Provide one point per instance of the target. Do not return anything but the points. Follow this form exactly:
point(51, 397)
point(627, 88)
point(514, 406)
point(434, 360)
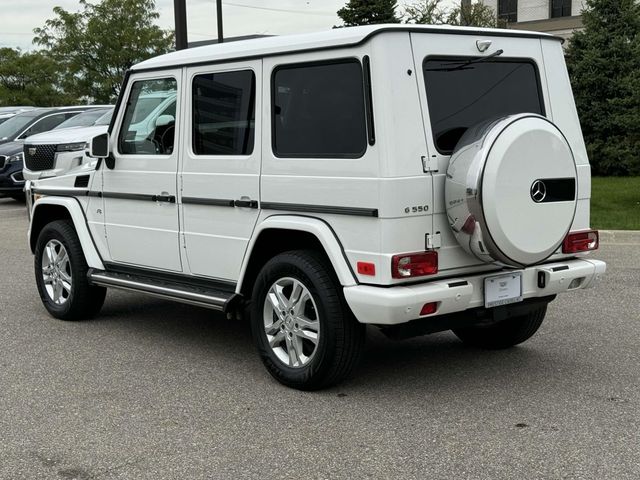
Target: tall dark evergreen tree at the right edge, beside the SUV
point(604, 66)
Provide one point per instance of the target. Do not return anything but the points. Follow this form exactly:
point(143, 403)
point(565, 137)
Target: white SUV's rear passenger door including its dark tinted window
point(220, 172)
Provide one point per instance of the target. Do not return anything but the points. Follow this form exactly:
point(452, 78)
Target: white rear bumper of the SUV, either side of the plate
point(395, 305)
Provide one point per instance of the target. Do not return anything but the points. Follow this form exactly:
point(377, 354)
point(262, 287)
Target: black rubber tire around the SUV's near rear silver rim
point(340, 338)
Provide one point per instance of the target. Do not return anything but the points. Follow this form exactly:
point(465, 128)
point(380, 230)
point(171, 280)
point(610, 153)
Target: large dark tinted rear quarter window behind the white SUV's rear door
point(318, 110)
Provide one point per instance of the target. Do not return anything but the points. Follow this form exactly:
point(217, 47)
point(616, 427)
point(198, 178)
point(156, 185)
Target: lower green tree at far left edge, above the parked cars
point(30, 78)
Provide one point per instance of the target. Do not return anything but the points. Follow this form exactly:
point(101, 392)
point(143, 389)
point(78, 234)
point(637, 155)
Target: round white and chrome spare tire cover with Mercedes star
point(510, 190)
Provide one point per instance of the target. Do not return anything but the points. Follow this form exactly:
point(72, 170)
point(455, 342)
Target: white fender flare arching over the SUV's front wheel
point(39, 217)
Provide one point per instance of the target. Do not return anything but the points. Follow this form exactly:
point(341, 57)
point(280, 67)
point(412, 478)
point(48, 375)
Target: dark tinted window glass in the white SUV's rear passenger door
point(224, 113)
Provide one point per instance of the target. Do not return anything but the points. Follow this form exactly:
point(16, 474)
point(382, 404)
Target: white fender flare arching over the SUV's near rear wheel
point(320, 229)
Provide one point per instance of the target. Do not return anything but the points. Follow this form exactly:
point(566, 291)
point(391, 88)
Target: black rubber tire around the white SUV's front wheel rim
point(82, 301)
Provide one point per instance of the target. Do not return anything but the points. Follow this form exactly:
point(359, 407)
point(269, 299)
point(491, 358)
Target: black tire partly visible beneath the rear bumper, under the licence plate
point(504, 334)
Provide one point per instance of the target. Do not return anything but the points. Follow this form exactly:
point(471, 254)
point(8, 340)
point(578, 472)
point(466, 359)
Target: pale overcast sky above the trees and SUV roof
point(241, 17)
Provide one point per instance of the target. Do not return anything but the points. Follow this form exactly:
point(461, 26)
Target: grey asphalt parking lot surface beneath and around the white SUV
point(156, 390)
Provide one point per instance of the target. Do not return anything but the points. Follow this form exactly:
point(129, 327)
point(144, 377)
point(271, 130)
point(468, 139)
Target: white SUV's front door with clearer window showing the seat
point(140, 192)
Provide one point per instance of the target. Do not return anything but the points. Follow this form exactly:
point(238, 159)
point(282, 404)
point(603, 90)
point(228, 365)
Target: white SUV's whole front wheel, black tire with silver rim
point(61, 274)
